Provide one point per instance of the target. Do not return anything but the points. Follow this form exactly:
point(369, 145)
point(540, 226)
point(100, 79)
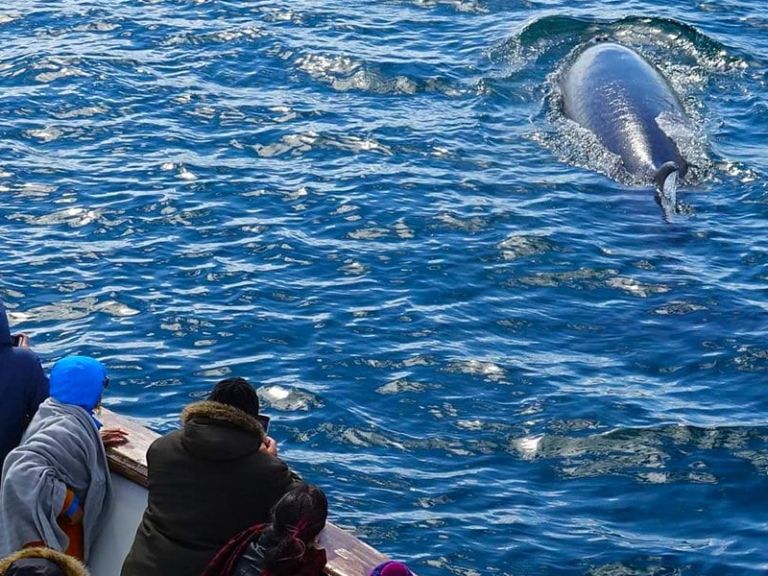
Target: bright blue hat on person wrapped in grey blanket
point(78, 380)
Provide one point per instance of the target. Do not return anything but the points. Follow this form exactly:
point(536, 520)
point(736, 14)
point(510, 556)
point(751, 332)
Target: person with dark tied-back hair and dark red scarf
point(286, 547)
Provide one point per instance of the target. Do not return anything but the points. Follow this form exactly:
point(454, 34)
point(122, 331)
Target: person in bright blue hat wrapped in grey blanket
point(55, 484)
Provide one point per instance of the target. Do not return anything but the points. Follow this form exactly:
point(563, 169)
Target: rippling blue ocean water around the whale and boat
point(484, 343)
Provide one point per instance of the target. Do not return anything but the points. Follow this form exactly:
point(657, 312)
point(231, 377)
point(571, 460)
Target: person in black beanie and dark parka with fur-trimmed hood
point(211, 479)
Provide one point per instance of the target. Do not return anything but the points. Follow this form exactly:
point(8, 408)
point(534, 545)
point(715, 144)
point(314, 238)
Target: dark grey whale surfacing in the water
point(615, 93)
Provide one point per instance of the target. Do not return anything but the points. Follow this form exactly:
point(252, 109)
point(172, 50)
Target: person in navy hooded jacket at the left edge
point(23, 386)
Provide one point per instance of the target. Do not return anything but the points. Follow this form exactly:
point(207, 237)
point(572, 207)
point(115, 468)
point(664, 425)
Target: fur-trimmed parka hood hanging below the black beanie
point(217, 431)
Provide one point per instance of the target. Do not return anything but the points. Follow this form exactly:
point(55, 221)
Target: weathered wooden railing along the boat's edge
point(347, 555)
